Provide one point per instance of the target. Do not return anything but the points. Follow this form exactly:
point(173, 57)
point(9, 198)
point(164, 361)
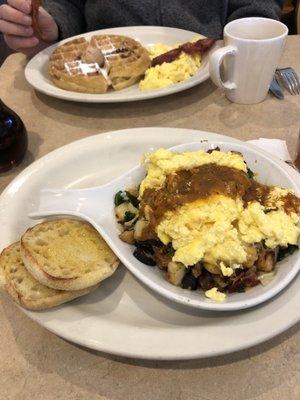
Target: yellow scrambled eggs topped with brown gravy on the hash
point(217, 229)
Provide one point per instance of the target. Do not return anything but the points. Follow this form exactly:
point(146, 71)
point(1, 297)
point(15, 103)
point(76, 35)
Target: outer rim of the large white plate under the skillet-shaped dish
point(129, 353)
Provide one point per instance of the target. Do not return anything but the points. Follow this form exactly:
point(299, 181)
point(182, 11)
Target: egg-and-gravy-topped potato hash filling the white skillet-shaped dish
point(207, 223)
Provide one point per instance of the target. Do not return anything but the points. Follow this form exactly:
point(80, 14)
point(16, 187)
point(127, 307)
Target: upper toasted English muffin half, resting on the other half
point(67, 254)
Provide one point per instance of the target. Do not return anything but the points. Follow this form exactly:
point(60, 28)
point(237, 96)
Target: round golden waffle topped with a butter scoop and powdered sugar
point(93, 66)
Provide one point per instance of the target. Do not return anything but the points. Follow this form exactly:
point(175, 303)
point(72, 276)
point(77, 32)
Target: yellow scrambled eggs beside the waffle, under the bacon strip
point(167, 74)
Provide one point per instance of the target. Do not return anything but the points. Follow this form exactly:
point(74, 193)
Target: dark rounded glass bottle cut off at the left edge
point(13, 138)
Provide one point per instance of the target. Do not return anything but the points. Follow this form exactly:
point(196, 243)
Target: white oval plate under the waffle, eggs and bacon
point(36, 71)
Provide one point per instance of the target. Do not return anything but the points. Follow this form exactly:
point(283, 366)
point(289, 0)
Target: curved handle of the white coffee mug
point(215, 63)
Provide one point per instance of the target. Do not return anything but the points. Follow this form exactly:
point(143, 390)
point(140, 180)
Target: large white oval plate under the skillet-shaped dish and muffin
point(123, 317)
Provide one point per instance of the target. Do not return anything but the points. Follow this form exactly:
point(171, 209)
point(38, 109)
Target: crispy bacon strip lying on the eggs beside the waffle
point(201, 46)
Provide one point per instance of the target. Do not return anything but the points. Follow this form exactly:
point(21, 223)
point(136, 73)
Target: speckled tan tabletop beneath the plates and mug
point(35, 364)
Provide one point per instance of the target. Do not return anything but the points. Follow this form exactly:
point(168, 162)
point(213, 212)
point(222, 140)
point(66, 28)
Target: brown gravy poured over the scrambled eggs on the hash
point(187, 186)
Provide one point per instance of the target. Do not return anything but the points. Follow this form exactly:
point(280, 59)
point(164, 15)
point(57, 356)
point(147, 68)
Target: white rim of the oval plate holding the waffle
point(94, 98)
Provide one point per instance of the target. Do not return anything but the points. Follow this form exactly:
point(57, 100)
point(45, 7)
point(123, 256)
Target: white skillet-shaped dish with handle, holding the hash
point(86, 204)
